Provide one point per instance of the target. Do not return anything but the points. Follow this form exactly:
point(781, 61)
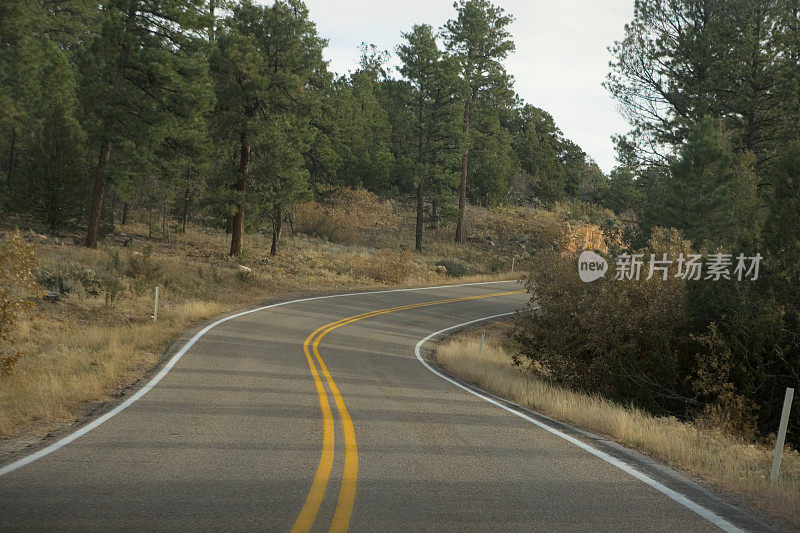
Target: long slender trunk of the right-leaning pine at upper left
point(108, 128)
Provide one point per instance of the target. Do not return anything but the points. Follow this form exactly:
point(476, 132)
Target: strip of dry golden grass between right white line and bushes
point(725, 461)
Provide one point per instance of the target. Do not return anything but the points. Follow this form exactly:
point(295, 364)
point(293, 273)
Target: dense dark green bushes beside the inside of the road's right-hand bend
point(642, 341)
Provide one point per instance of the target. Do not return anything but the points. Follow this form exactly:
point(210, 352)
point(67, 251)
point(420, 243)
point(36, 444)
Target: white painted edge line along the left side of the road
point(28, 459)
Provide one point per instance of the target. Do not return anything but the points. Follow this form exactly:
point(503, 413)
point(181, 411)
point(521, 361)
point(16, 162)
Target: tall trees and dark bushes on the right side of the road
point(712, 89)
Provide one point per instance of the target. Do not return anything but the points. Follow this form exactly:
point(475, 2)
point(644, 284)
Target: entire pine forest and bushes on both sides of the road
point(225, 115)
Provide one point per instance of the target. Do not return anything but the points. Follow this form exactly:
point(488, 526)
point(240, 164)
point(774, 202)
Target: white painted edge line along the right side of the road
point(676, 496)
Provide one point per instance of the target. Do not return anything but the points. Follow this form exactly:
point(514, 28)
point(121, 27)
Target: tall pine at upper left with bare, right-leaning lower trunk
point(141, 72)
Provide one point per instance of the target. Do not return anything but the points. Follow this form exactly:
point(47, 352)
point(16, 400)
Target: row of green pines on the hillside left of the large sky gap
point(226, 113)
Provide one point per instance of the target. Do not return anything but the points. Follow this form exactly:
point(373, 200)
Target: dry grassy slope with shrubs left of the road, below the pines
point(87, 347)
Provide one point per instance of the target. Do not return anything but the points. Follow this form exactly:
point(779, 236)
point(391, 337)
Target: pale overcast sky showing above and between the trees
point(559, 65)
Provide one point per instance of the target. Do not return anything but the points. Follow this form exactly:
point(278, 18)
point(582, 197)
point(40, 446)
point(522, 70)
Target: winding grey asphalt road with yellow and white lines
point(319, 414)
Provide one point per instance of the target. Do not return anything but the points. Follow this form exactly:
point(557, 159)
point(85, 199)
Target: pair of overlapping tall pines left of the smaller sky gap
point(266, 66)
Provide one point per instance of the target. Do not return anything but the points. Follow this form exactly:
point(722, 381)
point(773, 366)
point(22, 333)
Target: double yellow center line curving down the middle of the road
point(347, 491)
